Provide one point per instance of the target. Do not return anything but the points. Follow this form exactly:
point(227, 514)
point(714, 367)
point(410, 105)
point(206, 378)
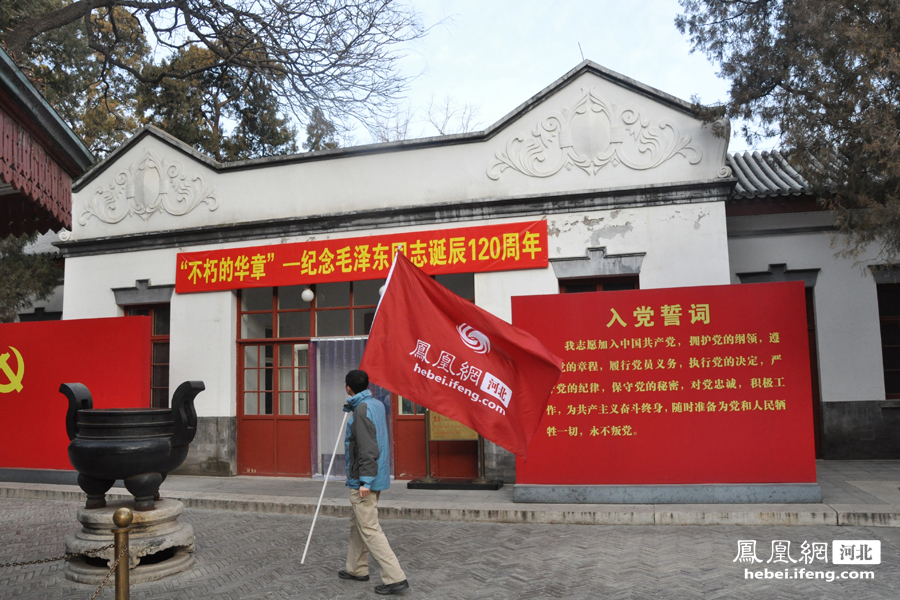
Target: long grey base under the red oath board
point(761, 493)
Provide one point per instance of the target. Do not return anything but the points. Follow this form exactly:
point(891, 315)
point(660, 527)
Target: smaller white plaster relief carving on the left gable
point(151, 186)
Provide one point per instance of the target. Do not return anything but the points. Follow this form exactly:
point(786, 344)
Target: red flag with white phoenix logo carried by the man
point(429, 345)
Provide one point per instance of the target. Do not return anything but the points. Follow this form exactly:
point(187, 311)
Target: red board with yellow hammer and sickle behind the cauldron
point(110, 356)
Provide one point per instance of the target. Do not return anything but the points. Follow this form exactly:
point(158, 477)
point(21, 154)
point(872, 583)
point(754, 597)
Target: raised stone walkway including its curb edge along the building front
point(854, 493)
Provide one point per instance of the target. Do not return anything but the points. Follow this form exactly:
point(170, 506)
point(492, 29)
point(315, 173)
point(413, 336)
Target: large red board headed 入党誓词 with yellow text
point(674, 386)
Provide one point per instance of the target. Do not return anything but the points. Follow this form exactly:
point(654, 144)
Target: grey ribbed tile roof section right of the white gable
point(762, 174)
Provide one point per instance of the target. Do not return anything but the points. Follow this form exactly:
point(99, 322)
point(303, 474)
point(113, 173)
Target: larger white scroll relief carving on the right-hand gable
point(590, 135)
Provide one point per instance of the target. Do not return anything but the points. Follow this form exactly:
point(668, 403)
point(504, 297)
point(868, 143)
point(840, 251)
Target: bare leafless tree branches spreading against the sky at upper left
point(339, 55)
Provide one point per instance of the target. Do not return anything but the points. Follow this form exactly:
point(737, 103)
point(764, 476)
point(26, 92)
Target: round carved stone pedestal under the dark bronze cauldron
point(159, 546)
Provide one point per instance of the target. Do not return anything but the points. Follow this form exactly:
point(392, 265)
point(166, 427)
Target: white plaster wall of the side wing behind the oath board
point(846, 304)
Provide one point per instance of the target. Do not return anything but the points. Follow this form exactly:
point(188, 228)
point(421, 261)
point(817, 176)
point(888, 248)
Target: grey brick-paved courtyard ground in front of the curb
point(257, 555)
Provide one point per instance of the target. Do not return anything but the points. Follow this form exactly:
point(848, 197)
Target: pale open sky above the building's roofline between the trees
point(496, 54)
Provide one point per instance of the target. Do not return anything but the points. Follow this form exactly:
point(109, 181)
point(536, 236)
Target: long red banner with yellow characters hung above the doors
point(443, 251)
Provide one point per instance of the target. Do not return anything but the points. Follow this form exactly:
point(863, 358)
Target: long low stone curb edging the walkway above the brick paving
point(549, 514)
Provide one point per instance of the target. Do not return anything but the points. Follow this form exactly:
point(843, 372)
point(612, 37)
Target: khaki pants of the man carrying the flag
point(366, 536)
